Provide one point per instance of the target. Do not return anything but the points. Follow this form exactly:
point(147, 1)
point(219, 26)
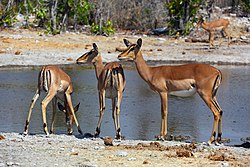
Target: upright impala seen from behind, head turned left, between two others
point(111, 84)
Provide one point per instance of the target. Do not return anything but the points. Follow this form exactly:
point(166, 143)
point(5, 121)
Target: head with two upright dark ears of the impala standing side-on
point(131, 51)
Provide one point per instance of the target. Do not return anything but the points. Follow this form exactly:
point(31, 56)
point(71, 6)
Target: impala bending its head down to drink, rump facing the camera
point(57, 84)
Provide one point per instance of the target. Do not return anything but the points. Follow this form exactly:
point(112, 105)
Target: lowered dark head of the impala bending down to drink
point(69, 119)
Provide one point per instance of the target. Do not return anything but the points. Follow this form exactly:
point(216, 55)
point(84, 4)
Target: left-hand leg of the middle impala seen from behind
point(102, 108)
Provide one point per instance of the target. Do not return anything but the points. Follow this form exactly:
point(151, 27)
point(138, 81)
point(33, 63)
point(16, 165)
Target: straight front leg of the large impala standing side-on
point(164, 114)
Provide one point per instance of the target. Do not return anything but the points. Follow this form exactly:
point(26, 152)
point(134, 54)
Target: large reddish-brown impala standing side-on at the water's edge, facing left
point(165, 79)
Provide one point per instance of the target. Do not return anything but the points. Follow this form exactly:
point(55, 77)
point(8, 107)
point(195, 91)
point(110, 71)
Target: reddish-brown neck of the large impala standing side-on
point(142, 68)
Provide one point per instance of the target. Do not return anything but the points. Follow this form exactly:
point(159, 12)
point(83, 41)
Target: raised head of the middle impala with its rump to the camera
point(89, 57)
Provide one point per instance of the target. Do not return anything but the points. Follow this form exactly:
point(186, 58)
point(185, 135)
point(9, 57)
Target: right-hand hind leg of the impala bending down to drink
point(45, 102)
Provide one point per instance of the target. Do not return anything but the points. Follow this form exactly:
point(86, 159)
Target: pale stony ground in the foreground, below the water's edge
point(63, 150)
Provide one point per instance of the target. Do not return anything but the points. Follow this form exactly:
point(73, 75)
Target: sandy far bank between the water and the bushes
point(23, 47)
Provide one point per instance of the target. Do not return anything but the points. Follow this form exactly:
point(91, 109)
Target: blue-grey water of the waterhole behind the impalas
point(140, 107)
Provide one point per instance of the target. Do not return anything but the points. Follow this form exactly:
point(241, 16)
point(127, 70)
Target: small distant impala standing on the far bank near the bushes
point(216, 25)
